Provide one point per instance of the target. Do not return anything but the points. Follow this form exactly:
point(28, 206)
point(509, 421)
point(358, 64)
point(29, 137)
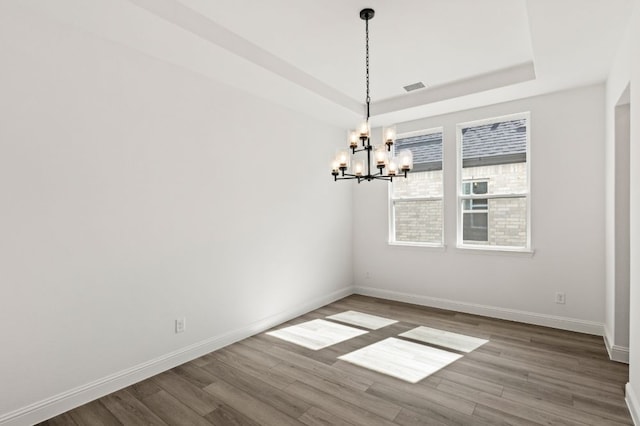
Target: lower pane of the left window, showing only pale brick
point(418, 221)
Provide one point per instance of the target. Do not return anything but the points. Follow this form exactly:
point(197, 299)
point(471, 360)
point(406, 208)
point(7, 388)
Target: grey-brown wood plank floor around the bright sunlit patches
point(525, 375)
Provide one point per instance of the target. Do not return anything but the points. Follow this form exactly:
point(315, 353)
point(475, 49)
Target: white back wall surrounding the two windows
point(567, 195)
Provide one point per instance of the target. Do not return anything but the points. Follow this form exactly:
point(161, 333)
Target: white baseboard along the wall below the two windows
point(563, 323)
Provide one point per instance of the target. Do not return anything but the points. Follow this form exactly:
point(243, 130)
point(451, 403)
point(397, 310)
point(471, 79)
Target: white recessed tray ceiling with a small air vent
point(309, 55)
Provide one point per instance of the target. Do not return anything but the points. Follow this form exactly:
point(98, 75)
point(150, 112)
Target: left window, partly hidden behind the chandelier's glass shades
point(416, 202)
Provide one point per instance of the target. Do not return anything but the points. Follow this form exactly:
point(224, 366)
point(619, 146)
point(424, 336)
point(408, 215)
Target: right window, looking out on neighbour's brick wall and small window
point(493, 196)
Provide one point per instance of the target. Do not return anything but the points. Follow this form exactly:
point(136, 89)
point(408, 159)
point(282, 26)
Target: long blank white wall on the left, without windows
point(135, 192)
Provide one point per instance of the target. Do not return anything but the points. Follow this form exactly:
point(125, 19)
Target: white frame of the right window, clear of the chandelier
point(460, 197)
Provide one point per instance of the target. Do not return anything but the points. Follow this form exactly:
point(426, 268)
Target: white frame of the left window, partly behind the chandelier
point(391, 200)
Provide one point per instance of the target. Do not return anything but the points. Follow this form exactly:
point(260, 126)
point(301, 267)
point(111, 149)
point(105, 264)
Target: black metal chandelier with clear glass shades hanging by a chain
point(344, 167)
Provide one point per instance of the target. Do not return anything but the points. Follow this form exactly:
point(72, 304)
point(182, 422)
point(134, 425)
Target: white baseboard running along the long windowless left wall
point(65, 401)
